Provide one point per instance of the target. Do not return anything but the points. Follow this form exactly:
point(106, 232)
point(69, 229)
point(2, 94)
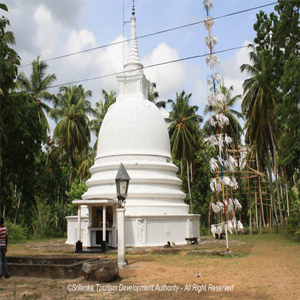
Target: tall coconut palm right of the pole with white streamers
point(258, 105)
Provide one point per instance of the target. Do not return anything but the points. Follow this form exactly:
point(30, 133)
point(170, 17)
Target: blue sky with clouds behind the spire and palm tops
point(55, 27)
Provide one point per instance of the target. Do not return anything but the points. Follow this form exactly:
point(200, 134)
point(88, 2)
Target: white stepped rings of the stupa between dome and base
point(154, 187)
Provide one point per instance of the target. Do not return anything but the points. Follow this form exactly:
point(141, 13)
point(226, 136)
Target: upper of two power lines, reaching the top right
point(155, 33)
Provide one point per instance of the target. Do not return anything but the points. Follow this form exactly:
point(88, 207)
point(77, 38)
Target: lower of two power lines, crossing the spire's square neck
point(146, 67)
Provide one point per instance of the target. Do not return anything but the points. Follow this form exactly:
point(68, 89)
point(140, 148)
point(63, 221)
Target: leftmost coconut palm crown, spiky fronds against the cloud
point(37, 86)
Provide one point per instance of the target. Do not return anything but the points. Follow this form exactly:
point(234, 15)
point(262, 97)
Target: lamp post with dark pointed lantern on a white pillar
point(122, 183)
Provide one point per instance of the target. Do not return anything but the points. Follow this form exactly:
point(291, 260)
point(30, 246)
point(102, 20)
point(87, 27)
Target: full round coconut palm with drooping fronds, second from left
point(71, 113)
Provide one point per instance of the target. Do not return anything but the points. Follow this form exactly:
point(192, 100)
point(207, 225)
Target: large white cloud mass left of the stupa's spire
point(51, 38)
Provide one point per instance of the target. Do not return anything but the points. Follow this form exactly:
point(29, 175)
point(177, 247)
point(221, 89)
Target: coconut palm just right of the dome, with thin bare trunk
point(183, 130)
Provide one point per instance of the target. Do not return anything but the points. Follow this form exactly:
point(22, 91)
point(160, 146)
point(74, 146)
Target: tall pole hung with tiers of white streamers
point(221, 140)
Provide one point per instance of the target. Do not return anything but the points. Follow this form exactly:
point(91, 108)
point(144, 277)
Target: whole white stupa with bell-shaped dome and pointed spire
point(134, 133)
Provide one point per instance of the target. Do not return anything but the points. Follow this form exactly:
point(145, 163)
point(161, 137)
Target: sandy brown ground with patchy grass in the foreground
point(265, 267)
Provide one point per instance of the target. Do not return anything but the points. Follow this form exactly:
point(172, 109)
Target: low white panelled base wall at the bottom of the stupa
point(145, 230)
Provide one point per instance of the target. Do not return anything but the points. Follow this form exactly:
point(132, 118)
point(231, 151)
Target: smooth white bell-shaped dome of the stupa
point(133, 126)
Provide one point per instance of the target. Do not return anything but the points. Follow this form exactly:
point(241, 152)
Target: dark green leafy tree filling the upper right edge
point(278, 35)
